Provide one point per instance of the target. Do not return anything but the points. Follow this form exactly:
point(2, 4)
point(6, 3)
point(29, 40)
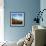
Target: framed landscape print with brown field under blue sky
point(17, 19)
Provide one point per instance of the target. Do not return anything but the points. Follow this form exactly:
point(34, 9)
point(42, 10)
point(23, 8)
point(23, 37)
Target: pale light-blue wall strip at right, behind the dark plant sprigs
point(43, 6)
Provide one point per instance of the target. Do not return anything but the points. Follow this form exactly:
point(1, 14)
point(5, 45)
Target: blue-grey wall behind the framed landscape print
point(30, 7)
